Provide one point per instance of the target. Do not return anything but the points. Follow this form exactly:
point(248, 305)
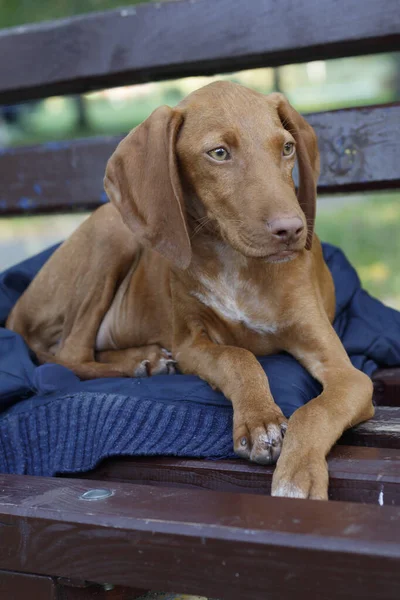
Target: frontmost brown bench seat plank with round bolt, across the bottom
point(217, 544)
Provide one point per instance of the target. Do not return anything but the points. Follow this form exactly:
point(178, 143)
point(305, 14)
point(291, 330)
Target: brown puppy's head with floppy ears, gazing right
point(224, 155)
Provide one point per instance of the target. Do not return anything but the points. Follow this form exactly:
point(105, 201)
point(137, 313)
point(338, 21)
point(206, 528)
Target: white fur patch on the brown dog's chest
point(238, 300)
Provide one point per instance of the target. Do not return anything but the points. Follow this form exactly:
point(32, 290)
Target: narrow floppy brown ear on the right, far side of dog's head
point(307, 157)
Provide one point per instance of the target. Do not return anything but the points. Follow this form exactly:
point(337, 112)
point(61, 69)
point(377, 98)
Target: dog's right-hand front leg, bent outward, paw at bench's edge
point(346, 400)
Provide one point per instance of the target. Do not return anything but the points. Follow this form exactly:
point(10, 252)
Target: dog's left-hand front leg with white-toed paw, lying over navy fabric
point(258, 423)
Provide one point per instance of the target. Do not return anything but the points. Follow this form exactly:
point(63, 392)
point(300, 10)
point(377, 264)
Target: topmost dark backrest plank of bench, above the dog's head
point(191, 37)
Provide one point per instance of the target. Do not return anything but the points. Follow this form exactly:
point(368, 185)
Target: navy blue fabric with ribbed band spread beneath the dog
point(53, 423)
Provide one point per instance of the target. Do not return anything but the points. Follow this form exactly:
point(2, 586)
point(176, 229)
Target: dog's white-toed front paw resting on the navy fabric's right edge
point(259, 439)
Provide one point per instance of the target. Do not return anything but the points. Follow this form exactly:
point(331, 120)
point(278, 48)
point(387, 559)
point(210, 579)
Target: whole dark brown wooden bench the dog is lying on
point(189, 525)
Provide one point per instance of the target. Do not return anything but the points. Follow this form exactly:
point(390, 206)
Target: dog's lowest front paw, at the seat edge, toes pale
point(301, 477)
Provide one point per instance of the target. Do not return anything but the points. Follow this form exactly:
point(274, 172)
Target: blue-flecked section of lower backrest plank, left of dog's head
point(54, 177)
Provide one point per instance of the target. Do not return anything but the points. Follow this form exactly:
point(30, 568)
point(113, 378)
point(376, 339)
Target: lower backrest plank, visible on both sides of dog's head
point(359, 150)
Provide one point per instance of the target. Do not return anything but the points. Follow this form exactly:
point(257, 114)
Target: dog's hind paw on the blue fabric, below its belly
point(140, 362)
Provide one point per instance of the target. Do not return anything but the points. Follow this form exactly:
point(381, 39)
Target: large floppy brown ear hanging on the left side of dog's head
point(142, 181)
